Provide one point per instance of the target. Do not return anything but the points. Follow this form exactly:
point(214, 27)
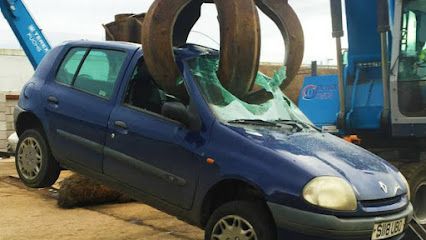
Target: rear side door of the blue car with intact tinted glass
point(79, 102)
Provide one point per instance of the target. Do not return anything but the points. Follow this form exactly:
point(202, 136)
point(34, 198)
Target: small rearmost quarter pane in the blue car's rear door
point(70, 65)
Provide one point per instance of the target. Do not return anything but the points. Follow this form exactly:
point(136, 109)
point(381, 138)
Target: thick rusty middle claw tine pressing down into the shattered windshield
point(239, 45)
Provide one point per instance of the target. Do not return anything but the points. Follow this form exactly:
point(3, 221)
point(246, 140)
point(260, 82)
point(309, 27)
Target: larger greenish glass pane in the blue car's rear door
point(99, 72)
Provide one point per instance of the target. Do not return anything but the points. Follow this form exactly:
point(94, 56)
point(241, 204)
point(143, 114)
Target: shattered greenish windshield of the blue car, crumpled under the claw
point(228, 108)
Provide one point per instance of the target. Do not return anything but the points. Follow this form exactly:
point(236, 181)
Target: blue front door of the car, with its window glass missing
point(150, 152)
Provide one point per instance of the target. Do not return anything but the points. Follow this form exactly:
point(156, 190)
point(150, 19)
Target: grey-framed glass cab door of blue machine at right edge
point(408, 81)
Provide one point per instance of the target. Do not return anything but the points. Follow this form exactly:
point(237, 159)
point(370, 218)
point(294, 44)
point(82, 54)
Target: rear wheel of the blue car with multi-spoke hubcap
point(34, 162)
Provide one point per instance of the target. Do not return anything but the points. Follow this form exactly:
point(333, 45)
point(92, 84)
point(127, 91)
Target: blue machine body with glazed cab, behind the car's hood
point(372, 95)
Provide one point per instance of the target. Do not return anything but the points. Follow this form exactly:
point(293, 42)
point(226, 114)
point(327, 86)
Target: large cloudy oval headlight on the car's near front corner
point(331, 193)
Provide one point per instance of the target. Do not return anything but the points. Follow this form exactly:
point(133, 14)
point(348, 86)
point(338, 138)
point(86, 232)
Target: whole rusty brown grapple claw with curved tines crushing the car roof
point(168, 24)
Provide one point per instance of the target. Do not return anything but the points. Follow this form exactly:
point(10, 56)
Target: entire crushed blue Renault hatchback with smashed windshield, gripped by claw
point(235, 168)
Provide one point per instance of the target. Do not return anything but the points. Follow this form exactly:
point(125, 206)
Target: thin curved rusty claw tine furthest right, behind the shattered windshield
point(289, 24)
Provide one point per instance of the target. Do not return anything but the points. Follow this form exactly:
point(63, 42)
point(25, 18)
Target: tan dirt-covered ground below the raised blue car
point(33, 214)
